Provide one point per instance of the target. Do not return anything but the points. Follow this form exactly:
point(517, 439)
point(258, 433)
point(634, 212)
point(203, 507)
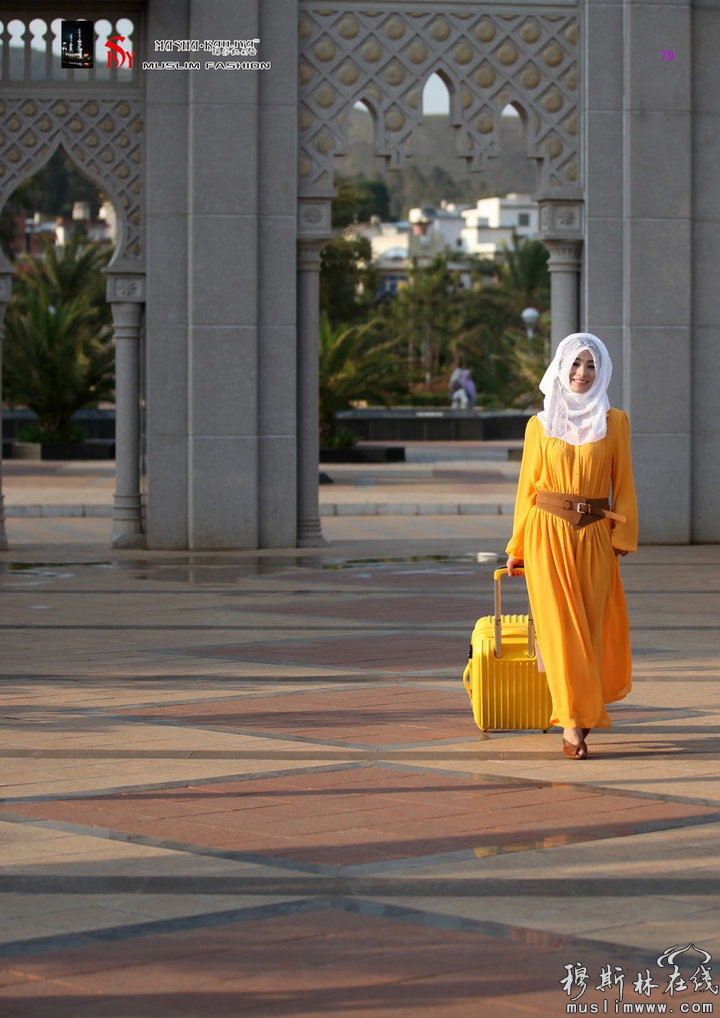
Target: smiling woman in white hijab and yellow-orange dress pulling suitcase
point(578, 454)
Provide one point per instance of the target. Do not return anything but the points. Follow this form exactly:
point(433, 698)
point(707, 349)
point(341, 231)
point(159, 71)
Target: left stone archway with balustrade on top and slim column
point(99, 121)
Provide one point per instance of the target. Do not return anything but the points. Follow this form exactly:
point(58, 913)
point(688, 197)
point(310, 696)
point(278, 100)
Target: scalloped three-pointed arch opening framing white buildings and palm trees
point(457, 240)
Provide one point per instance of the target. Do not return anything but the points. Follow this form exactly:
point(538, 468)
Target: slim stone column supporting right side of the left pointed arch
point(127, 299)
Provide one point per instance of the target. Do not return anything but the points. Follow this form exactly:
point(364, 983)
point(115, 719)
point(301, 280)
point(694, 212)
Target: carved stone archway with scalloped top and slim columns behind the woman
point(382, 54)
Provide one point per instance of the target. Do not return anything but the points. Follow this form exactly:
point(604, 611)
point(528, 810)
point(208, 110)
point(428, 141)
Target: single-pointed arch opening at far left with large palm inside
point(59, 231)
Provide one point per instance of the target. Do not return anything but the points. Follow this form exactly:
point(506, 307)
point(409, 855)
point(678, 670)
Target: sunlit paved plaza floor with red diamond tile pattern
point(250, 784)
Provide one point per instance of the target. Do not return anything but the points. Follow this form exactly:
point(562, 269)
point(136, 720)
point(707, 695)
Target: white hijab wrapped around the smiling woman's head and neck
point(577, 418)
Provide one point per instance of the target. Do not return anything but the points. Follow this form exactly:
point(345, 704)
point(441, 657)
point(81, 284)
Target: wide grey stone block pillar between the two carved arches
point(221, 286)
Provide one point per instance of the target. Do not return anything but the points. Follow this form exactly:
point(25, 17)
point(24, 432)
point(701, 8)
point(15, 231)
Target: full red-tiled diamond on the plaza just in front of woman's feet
point(365, 815)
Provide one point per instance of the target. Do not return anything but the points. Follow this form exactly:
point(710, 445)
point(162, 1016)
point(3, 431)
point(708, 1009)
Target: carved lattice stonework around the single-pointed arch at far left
point(104, 138)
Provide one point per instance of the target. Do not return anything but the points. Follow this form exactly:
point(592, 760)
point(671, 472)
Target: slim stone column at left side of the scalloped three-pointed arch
point(310, 534)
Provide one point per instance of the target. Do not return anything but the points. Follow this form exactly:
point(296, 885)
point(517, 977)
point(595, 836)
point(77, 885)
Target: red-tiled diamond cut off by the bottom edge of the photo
point(326, 964)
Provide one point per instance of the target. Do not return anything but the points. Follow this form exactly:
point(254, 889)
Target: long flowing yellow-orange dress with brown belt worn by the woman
point(574, 577)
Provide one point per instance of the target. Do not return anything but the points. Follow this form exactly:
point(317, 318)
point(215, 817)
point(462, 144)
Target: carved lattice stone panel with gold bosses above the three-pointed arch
point(383, 59)
